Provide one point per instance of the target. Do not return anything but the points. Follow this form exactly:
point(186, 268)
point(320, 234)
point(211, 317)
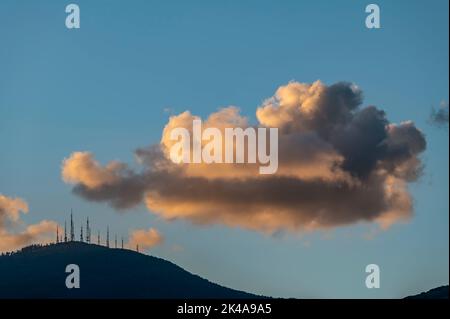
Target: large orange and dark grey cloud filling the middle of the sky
point(339, 164)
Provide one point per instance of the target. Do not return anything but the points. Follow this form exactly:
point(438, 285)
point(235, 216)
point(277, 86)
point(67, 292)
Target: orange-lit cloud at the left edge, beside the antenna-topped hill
point(10, 238)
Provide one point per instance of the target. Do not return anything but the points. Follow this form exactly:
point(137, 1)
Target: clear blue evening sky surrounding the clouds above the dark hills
point(110, 87)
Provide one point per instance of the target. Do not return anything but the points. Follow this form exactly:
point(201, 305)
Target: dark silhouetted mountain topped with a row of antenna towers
point(39, 272)
